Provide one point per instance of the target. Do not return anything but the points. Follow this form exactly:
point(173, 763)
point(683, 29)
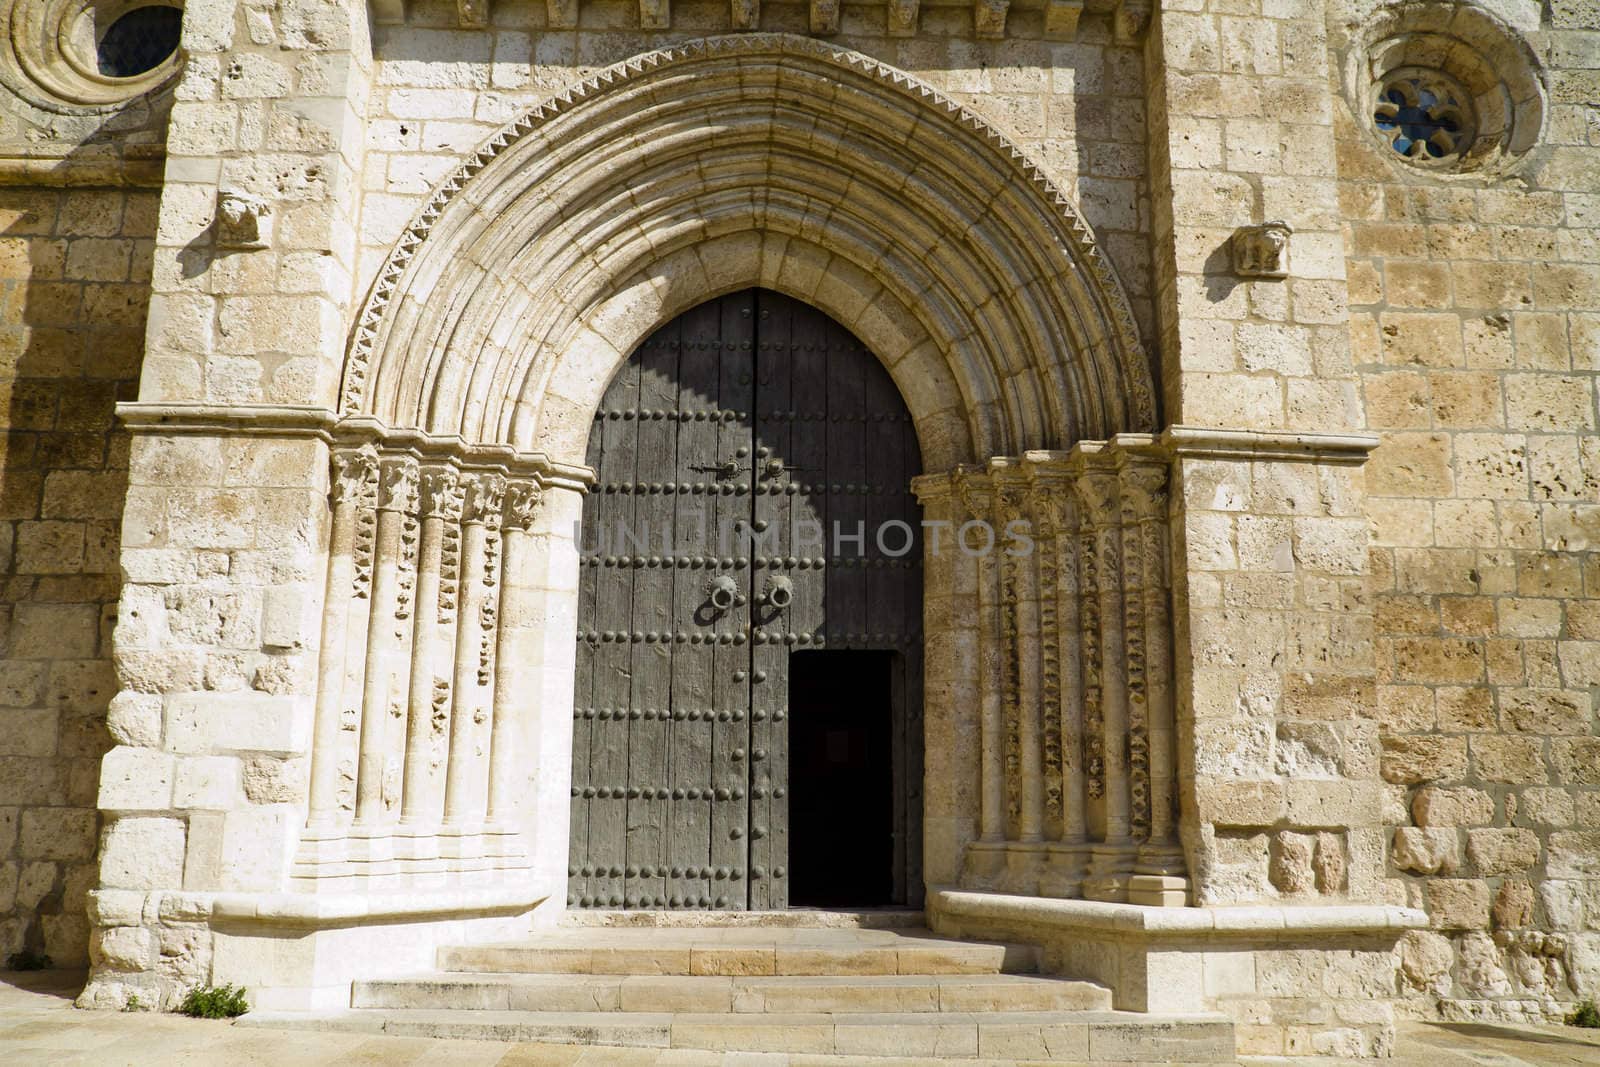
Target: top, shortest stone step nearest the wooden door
point(742, 953)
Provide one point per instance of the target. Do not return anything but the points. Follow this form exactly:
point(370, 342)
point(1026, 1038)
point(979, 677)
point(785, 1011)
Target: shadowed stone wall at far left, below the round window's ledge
point(74, 286)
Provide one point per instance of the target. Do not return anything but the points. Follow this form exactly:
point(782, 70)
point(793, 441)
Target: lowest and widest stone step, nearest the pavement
point(1041, 1036)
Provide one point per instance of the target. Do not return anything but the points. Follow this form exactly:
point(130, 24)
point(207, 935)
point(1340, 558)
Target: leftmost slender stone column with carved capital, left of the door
point(354, 484)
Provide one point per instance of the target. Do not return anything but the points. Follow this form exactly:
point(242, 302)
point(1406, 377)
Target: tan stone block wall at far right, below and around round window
point(1476, 329)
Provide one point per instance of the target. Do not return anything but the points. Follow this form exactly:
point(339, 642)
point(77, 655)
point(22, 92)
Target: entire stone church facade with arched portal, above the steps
point(1274, 324)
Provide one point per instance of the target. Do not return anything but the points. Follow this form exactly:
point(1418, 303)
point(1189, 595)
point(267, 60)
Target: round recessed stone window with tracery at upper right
point(1447, 87)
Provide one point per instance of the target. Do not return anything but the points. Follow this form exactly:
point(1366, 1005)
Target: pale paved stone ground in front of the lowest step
point(39, 1026)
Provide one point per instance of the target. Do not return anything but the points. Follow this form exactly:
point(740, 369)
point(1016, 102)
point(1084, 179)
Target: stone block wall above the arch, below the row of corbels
point(1076, 106)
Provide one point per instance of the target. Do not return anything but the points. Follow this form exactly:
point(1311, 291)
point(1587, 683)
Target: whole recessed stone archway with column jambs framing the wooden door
point(790, 164)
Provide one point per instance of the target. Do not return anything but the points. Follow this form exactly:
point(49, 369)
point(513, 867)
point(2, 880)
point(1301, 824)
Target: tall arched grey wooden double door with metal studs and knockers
point(748, 713)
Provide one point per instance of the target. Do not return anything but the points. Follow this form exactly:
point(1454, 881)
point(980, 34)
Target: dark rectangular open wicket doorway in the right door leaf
point(842, 778)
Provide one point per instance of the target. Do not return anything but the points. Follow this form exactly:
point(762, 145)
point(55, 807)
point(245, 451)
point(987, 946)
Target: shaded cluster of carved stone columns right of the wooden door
point(1076, 719)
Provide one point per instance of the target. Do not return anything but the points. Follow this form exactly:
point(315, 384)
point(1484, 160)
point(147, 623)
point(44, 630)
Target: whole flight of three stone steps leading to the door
point(831, 993)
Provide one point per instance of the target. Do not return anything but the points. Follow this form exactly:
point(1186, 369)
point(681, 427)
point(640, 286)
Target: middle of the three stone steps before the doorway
point(740, 996)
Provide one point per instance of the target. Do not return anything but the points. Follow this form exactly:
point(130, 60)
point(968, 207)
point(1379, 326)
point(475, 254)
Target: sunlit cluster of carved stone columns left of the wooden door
point(423, 567)
